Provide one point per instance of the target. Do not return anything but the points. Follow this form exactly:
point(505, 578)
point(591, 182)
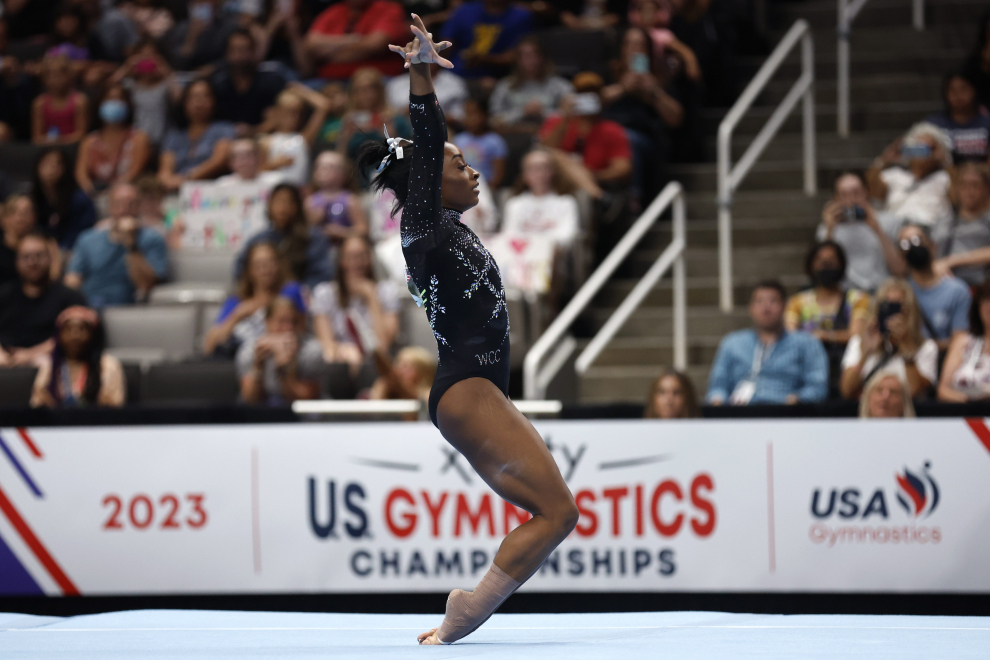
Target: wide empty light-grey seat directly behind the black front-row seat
point(171, 329)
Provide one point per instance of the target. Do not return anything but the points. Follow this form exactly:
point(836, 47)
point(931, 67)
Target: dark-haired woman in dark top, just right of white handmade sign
point(305, 249)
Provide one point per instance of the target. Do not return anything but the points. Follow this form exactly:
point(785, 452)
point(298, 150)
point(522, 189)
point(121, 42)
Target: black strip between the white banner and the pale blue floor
point(525, 603)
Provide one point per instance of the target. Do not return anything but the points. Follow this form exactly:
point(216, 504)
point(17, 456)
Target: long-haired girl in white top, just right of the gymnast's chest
point(543, 204)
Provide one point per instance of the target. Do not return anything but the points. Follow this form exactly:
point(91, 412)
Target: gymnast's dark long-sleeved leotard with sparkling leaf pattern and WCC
point(449, 271)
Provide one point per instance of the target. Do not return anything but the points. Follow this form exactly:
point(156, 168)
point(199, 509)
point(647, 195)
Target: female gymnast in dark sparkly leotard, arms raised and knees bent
point(454, 277)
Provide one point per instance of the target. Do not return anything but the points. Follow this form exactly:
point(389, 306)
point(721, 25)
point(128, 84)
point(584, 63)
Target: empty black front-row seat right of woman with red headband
point(209, 382)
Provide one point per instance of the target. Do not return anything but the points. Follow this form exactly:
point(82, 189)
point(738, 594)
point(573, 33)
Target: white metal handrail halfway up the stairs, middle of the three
point(729, 178)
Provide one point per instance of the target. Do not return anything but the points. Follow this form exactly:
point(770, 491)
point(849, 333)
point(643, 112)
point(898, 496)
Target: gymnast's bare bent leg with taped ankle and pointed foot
point(504, 448)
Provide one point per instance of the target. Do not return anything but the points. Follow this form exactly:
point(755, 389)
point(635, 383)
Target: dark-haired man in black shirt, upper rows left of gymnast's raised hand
point(243, 91)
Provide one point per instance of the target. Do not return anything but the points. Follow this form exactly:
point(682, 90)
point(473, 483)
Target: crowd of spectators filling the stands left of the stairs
point(129, 103)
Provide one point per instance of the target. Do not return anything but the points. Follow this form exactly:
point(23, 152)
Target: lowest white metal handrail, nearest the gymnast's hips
point(535, 380)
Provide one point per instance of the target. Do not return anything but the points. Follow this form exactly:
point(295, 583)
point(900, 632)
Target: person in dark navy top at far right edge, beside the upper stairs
point(968, 129)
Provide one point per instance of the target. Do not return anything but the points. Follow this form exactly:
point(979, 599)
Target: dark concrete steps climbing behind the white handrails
point(896, 81)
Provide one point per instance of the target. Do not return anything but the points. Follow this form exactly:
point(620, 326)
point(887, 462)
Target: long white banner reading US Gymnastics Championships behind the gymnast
point(812, 505)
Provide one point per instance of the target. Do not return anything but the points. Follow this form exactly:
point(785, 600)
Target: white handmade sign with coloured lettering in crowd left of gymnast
point(219, 216)
